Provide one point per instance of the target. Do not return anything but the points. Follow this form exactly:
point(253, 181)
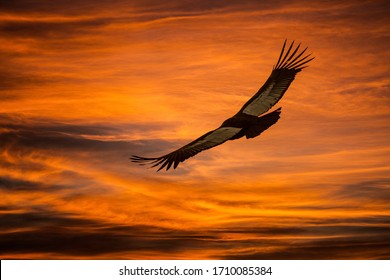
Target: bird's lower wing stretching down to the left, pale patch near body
point(207, 141)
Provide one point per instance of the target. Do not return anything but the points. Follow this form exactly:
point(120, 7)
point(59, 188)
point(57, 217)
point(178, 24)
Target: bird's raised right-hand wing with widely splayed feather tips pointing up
point(282, 75)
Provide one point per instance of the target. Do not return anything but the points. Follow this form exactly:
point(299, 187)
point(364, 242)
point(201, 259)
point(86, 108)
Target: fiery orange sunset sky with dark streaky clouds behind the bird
point(86, 84)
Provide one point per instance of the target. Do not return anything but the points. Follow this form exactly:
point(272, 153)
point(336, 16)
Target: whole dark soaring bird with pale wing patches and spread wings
point(247, 122)
